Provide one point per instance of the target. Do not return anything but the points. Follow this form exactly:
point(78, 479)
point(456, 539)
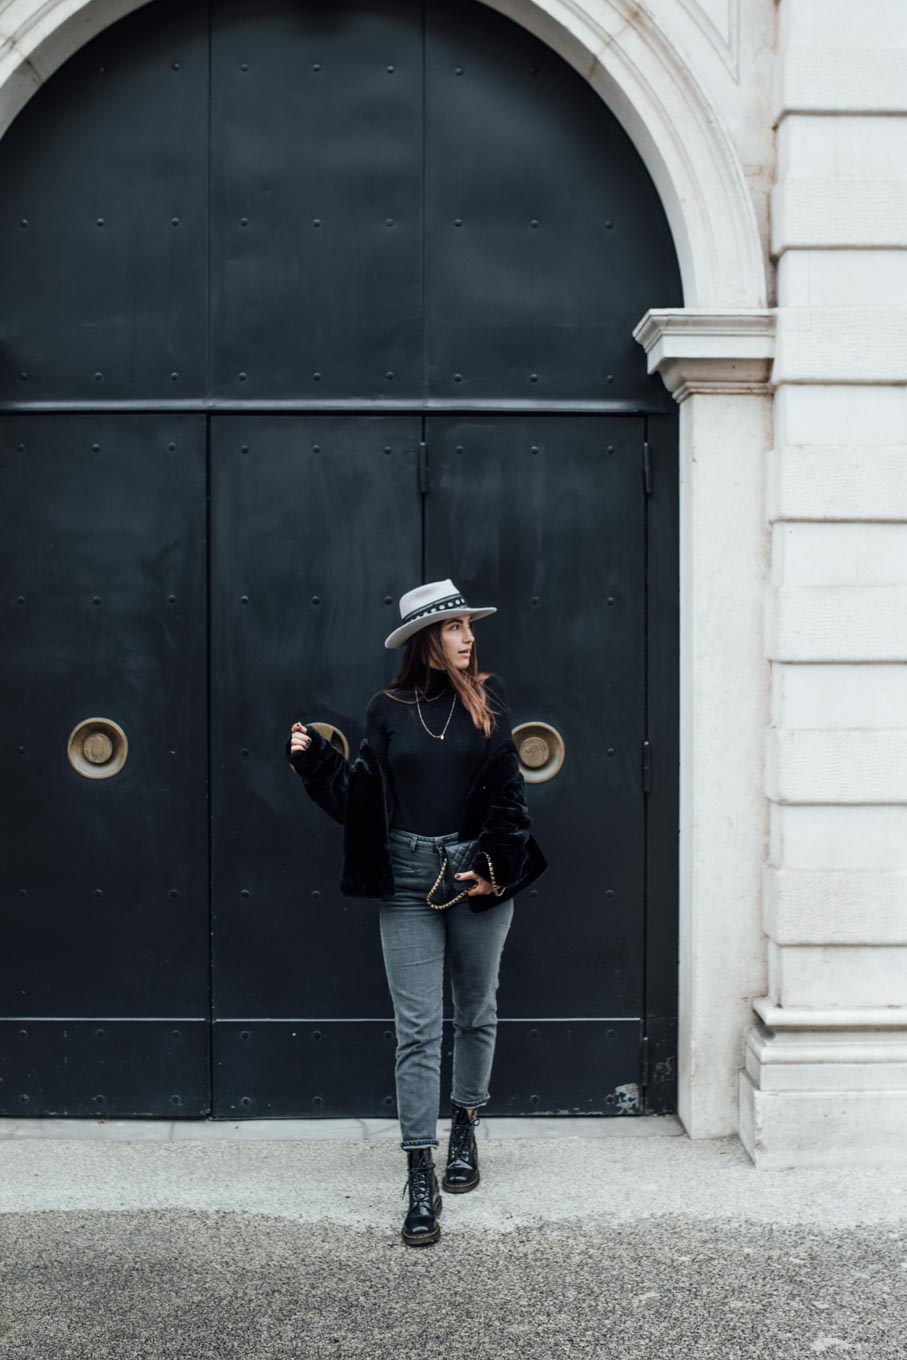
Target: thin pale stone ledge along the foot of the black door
point(331, 1131)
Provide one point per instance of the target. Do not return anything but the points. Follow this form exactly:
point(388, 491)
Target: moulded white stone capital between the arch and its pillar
point(711, 350)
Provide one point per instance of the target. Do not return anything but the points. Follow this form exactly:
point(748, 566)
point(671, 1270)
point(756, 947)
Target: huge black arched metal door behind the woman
point(304, 305)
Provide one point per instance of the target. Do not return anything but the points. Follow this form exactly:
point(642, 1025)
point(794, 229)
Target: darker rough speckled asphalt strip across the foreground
point(160, 1285)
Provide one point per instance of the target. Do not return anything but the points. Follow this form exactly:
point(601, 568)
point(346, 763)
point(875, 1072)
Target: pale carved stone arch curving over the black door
point(614, 44)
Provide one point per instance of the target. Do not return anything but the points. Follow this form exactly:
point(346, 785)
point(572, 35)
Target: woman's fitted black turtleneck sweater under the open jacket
point(432, 779)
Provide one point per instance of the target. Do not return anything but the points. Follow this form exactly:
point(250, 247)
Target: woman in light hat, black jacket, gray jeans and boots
point(439, 768)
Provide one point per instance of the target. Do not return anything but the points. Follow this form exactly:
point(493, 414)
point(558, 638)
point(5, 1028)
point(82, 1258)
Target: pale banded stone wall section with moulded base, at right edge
point(826, 1072)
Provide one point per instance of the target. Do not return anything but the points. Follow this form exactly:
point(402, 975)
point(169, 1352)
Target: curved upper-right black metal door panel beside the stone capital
point(545, 237)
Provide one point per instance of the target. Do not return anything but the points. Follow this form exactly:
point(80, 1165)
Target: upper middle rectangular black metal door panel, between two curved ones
point(318, 201)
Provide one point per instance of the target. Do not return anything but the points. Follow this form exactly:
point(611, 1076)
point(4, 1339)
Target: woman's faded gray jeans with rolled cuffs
point(414, 939)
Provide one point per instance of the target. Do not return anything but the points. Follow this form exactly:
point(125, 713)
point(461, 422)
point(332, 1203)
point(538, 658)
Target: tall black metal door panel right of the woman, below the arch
point(546, 517)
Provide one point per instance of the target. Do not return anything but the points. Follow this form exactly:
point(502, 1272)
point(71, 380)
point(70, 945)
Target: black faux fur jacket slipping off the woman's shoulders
point(357, 795)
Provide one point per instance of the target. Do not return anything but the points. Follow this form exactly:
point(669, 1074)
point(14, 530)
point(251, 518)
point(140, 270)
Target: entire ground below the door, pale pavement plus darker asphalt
point(572, 1246)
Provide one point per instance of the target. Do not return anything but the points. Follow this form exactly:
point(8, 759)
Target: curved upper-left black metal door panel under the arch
point(104, 237)
